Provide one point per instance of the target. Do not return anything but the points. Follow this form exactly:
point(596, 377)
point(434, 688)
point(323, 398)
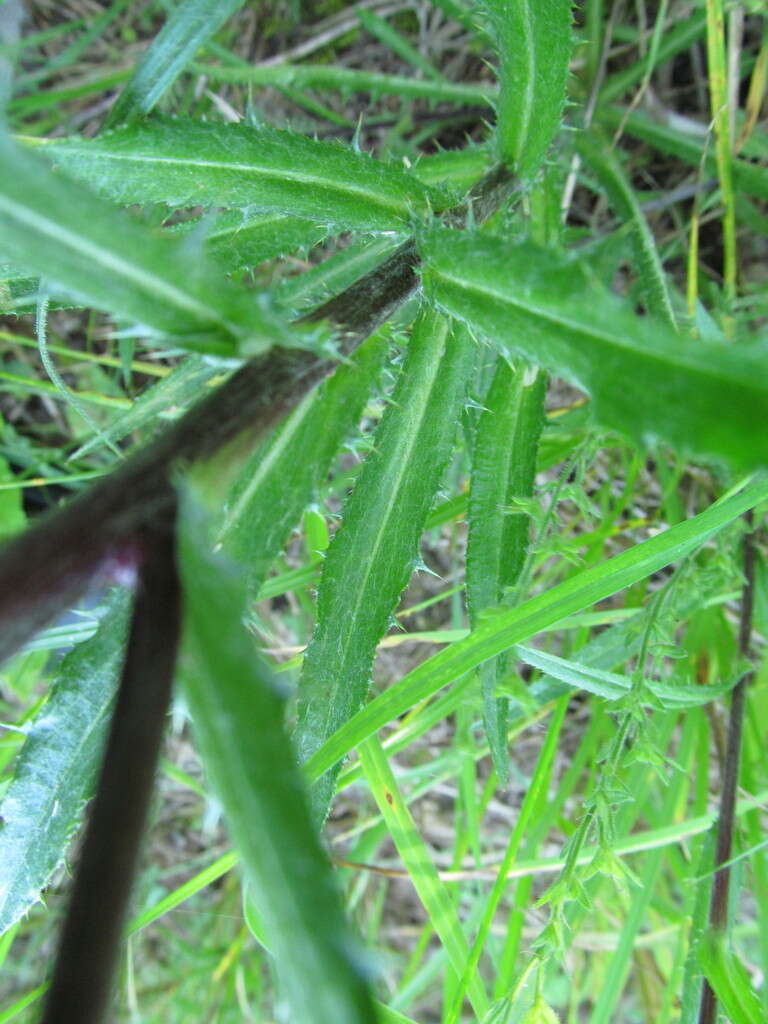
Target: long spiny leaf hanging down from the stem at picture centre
point(373, 554)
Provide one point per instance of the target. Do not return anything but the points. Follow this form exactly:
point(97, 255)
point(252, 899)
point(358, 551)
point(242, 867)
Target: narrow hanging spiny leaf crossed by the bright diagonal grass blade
point(504, 460)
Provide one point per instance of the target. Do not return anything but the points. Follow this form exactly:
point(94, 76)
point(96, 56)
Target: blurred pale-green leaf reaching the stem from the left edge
point(60, 231)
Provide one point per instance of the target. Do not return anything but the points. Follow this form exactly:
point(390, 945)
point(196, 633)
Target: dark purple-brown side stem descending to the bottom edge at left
point(82, 975)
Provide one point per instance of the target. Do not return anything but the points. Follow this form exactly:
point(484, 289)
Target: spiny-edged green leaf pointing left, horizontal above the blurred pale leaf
point(182, 162)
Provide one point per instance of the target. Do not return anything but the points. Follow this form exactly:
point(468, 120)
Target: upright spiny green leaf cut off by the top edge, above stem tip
point(534, 39)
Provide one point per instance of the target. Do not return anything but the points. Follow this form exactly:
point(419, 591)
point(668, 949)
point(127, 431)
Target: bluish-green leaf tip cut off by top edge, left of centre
point(190, 26)
